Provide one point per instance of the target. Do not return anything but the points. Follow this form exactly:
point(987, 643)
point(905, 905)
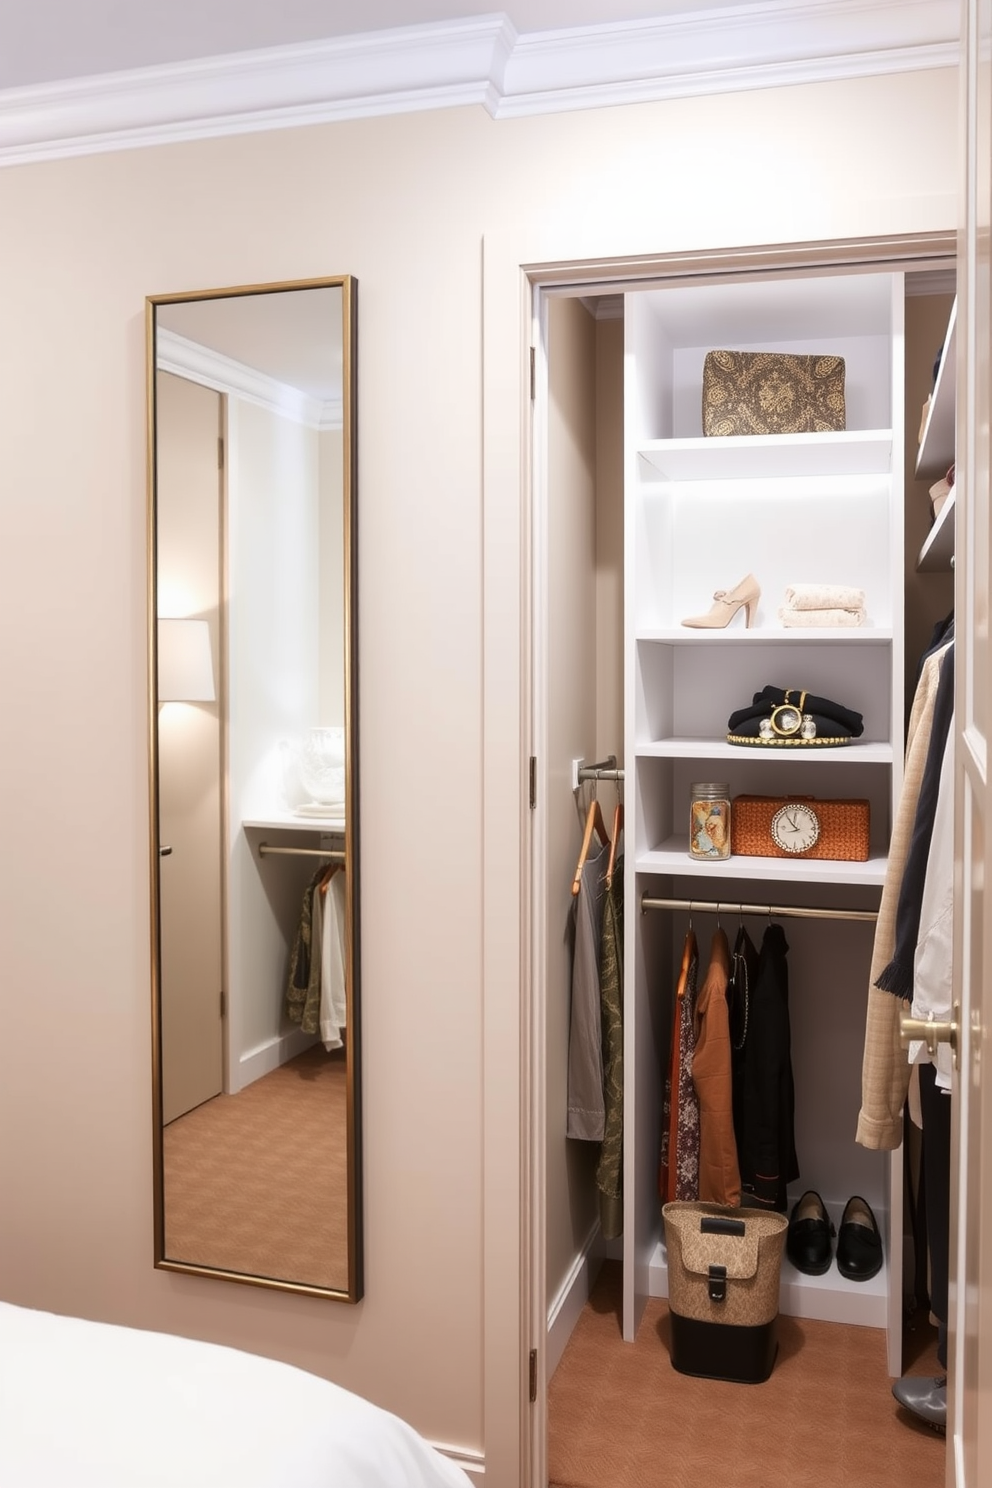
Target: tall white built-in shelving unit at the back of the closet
point(700, 516)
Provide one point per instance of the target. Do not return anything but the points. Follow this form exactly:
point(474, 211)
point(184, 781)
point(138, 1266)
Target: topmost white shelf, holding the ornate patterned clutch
point(741, 458)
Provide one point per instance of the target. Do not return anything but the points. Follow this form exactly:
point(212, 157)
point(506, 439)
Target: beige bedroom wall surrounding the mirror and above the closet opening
point(405, 205)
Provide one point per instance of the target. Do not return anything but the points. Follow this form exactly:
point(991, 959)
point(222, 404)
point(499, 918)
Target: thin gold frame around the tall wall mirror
point(350, 1286)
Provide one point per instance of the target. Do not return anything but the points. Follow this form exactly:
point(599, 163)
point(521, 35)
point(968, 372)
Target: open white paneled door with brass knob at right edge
point(970, 1420)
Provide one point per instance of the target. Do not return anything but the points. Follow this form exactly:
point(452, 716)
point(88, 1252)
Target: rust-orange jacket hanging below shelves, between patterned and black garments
point(719, 1172)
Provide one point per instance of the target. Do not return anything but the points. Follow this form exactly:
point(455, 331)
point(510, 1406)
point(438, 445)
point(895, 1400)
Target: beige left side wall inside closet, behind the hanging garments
point(584, 658)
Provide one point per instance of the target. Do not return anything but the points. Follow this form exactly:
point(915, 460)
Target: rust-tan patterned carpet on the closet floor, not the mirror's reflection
point(621, 1417)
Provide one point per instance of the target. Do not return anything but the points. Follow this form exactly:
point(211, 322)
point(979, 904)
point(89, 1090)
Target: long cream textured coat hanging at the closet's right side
point(886, 1069)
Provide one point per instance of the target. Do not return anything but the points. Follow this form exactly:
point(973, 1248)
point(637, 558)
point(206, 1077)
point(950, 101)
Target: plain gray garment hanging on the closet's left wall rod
point(587, 1105)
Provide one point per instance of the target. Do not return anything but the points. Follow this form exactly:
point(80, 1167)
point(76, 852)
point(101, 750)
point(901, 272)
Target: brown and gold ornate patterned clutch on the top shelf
point(771, 394)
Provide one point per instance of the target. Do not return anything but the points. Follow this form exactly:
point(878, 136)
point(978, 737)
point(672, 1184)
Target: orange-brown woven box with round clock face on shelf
point(844, 828)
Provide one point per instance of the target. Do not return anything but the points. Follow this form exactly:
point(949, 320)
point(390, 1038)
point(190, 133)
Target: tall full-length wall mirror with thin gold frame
point(255, 791)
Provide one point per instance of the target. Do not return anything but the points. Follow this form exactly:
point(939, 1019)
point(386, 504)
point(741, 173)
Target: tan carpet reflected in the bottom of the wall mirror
point(258, 1182)
